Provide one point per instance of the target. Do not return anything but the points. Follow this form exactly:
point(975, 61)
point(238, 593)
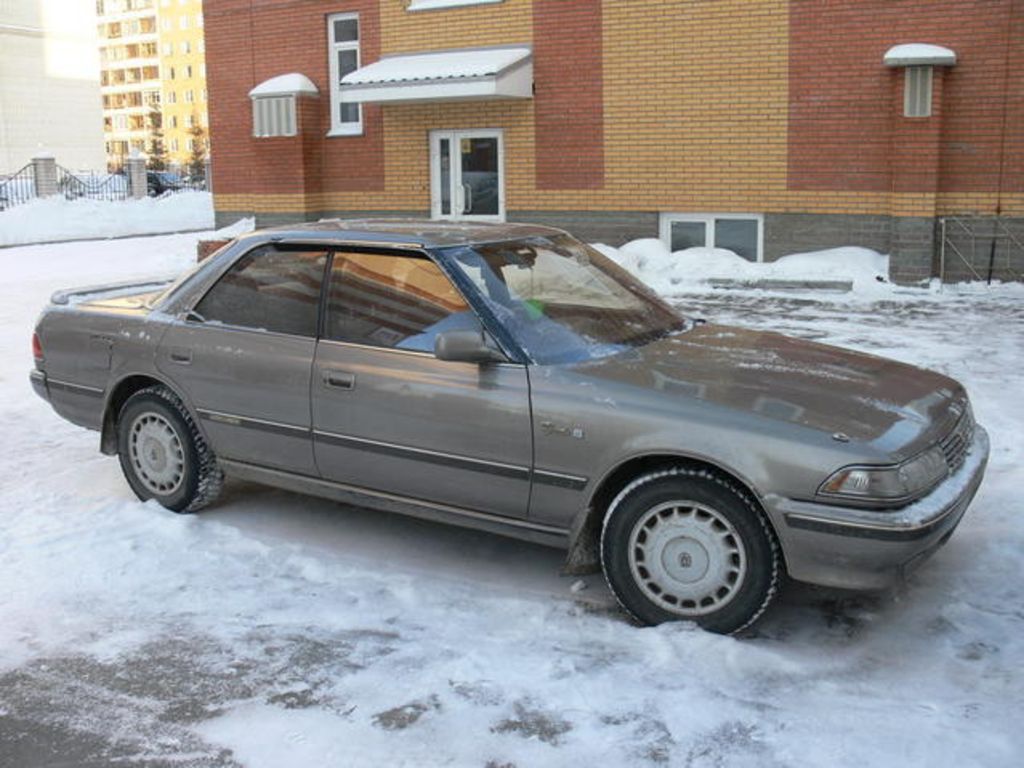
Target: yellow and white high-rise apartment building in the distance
point(152, 60)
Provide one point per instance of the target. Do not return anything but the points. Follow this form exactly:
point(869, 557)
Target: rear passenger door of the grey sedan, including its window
point(243, 358)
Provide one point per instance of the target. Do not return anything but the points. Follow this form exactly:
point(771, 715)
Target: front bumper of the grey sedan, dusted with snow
point(862, 549)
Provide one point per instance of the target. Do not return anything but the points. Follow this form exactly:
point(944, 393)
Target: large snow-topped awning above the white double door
point(472, 73)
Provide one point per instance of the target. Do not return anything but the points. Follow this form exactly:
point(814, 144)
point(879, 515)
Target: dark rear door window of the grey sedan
point(270, 289)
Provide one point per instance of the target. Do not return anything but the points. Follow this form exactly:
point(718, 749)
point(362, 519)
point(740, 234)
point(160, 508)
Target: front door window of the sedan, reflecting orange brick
point(393, 301)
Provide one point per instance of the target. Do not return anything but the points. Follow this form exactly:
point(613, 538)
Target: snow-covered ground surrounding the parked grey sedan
point(277, 630)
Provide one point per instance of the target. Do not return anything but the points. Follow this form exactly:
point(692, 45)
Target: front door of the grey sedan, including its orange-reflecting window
point(390, 416)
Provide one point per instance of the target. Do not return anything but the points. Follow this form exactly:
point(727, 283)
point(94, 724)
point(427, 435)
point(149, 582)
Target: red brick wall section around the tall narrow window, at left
point(249, 41)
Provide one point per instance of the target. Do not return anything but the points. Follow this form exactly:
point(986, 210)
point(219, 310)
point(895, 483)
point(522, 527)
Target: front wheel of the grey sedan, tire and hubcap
point(689, 545)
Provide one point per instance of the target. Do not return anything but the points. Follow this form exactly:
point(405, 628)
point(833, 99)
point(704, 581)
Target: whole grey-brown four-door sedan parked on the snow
point(513, 379)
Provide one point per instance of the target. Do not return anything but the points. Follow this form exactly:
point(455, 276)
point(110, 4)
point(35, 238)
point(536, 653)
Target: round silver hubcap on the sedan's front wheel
point(687, 558)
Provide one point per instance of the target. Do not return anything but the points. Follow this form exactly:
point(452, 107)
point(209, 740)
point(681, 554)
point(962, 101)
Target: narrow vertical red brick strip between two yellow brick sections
point(569, 108)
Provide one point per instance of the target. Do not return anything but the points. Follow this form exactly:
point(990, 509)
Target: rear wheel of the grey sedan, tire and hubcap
point(163, 455)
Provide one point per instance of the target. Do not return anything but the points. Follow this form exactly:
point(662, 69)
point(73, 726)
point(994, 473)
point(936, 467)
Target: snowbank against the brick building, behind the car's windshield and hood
point(677, 273)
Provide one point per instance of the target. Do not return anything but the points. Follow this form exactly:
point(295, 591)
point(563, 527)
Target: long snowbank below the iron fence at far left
point(54, 220)
